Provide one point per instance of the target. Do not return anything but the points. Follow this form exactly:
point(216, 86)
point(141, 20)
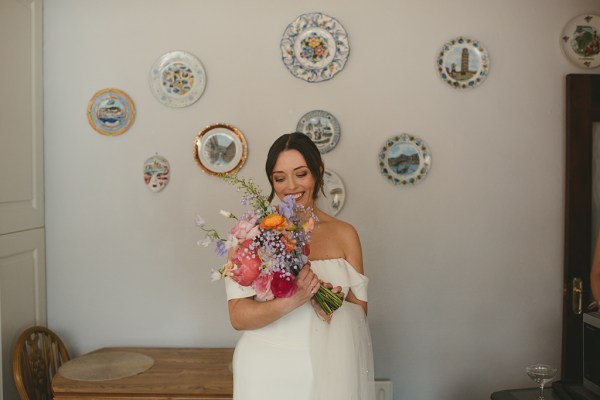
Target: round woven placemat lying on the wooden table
point(106, 366)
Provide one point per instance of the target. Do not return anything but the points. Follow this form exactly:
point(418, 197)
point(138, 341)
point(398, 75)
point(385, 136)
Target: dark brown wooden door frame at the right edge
point(582, 110)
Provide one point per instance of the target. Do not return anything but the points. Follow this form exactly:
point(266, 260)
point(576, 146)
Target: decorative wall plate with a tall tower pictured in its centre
point(463, 63)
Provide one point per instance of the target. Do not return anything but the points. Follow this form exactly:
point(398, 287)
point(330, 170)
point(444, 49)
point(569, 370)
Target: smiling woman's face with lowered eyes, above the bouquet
point(291, 176)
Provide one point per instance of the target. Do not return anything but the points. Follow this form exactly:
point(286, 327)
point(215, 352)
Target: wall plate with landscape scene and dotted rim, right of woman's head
point(404, 159)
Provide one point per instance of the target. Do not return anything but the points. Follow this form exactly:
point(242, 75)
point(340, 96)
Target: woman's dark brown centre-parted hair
point(305, 146)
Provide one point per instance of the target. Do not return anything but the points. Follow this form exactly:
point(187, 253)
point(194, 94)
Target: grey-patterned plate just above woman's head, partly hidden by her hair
point(322, 128)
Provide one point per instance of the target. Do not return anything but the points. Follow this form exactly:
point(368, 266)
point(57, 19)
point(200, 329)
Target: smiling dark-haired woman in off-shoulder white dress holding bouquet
point(290, 348)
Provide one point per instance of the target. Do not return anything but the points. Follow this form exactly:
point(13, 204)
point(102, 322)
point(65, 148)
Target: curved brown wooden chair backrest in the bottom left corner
point(37, 355)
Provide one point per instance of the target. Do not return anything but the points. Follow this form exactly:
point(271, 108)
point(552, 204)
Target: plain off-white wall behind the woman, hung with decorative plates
point(465, 268)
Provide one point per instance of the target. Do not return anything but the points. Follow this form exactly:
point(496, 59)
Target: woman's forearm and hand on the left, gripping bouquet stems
point(247, 314)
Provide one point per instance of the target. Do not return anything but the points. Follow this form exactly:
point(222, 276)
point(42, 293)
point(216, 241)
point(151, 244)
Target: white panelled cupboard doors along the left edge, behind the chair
point(22, 252)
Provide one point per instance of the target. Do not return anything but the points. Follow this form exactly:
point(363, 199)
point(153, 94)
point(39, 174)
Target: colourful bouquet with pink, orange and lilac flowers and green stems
point(267, 246)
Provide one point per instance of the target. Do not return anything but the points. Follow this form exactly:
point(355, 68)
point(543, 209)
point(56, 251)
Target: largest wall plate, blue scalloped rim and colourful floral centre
point(314, 47)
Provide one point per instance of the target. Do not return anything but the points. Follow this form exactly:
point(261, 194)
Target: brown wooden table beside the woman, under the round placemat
point(177, 373)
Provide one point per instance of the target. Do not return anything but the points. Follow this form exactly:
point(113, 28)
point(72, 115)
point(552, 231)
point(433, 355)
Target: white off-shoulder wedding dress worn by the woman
point(301, 357)
